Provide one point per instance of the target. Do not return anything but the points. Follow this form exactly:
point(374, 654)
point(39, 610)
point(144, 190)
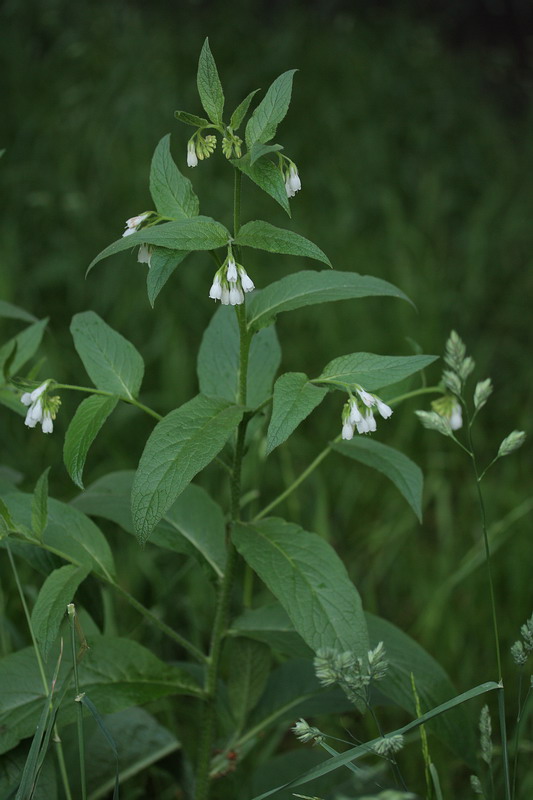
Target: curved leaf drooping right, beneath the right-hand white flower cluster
point(403, 472)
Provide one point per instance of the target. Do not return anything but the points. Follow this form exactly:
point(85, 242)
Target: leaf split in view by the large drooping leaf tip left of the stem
point(194, 524)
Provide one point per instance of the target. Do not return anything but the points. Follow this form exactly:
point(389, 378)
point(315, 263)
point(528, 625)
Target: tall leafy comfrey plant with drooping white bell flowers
point(244, 683)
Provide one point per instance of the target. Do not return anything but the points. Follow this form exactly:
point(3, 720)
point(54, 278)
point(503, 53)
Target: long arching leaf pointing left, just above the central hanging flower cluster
point(196, 233)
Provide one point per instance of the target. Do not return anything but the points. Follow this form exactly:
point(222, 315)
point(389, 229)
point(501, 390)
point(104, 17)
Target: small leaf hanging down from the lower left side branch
point(51, 606)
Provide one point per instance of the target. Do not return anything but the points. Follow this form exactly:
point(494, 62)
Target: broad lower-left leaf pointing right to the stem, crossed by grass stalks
point(115, 674)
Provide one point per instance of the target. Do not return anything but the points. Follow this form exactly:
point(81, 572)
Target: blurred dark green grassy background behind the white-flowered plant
point(412, 135)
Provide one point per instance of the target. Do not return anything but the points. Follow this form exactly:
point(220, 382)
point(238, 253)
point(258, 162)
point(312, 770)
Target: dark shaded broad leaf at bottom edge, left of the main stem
point(142, 741)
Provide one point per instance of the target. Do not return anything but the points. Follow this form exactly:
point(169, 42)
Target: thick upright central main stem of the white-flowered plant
point(207, 730)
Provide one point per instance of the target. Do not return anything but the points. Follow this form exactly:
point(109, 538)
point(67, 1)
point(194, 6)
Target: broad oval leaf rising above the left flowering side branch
point(112, 363)
